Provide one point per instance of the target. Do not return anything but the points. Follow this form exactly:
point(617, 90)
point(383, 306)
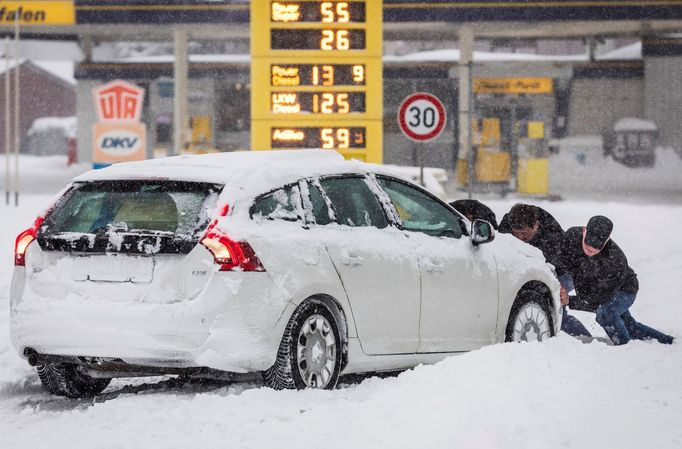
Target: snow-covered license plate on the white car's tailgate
point(113, 269)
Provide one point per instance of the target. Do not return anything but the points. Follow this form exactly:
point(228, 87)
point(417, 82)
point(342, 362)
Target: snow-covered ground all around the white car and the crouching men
point(561, 393)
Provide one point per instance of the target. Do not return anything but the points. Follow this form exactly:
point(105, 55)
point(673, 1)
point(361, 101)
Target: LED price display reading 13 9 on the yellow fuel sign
point(292, 75)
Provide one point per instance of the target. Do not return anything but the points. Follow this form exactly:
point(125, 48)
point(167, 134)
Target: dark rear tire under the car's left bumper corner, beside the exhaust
point(65, 379)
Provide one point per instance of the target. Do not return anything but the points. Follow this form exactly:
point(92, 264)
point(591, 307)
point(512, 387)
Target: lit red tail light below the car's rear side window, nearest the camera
point(231, 255)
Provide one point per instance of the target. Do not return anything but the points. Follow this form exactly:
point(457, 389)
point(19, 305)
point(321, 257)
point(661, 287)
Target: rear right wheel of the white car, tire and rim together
point(309, 354)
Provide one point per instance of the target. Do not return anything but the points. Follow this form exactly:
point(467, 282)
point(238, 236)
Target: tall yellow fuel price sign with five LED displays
point(316, 76)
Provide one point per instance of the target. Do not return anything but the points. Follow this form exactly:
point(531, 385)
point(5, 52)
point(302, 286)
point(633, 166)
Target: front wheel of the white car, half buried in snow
point(529, 319)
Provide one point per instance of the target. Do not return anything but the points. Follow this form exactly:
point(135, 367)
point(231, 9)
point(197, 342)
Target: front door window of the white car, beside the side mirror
point(419, 212)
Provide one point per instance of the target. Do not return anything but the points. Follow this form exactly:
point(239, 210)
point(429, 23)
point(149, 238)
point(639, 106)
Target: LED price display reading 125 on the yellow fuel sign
point(317, 102)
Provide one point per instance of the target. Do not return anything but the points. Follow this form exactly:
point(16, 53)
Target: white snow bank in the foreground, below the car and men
point(559, 394)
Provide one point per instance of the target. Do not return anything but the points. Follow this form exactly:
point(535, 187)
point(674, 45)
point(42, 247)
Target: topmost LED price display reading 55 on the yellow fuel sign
point(322, 12)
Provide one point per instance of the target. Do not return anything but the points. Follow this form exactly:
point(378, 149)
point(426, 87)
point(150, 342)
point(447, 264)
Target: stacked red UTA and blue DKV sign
point(119, 135)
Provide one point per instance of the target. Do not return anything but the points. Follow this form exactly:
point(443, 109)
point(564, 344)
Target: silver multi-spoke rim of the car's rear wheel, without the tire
point(316, 348)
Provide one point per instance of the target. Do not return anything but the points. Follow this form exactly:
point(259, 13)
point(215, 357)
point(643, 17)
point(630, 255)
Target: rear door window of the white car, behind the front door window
point(353, 202)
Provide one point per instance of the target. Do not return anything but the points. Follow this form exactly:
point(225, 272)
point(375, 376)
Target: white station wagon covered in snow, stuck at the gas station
point(294, 265)
